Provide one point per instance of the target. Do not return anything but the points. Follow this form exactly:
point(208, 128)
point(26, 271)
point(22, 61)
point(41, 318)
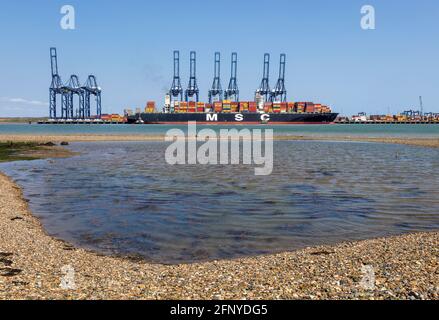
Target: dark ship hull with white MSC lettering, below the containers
point(234, 118)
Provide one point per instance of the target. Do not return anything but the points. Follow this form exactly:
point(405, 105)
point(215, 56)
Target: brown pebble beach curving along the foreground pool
point(34, 265)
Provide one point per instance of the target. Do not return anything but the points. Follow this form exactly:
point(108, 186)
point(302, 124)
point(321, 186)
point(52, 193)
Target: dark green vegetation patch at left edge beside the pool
point(16, 151)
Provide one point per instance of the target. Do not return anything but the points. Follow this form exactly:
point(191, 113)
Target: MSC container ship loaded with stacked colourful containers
point(234, 113)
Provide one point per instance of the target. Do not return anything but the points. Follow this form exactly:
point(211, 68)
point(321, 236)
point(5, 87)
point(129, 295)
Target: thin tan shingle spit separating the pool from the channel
point(423, 142)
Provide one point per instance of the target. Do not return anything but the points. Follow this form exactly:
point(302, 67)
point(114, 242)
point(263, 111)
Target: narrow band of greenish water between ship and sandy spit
point(306, 130)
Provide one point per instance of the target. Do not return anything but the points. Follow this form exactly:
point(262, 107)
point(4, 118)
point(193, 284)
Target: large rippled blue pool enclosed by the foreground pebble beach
point(122, 198)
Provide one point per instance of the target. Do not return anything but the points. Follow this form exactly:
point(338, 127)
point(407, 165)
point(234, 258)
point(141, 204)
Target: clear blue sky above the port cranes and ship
point(128, 45)
